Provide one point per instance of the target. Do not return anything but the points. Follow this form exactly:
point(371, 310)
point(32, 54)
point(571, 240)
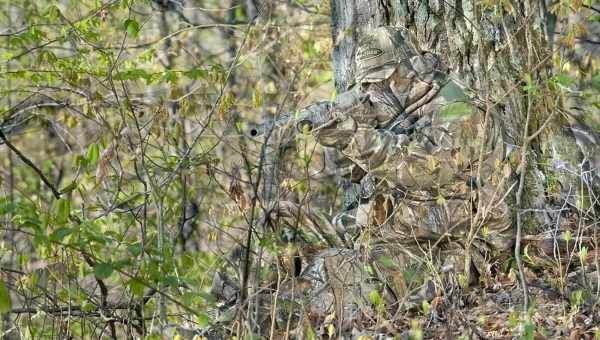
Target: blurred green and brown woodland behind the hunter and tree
point(127, 179)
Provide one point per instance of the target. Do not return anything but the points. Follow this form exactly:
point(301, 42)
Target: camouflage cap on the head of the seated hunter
point(381, 51)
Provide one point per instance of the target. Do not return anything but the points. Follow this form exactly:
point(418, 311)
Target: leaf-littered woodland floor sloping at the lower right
point(493, 313)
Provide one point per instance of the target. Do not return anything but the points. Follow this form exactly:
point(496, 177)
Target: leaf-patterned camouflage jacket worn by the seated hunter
point(444, 169)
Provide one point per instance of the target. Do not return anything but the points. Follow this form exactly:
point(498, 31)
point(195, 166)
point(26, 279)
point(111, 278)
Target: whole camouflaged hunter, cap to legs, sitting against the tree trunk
point(433, 183)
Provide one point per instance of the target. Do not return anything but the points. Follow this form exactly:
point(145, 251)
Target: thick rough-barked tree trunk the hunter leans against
point(501, 54)
